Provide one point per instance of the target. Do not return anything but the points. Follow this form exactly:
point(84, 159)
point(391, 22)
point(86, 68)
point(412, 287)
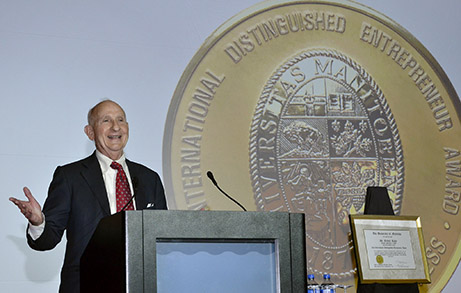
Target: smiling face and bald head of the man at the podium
point(109, 129)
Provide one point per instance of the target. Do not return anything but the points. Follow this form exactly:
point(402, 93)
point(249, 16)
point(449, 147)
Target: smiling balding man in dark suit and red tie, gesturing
point(83, 192)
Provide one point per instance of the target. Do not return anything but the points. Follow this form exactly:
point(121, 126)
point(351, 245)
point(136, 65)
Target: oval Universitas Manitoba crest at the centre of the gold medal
point(327, 130)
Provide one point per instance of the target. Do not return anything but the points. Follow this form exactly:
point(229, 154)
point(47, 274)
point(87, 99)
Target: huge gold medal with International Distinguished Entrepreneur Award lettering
point(299, 106)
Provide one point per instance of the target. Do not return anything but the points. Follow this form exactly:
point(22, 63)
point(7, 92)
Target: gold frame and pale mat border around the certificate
point(412, 224)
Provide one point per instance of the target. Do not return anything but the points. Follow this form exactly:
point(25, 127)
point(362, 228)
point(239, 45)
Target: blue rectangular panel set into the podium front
point(231, 266)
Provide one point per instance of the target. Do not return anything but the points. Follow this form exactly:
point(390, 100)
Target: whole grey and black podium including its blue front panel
point(127, 254)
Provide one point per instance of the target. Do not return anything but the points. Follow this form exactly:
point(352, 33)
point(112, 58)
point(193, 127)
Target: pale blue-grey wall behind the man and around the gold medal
point(58, 58)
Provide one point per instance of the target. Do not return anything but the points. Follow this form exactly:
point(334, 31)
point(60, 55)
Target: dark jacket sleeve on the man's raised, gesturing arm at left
point(56, 210)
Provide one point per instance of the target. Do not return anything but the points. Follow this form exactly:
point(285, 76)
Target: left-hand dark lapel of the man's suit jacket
point(91, 171)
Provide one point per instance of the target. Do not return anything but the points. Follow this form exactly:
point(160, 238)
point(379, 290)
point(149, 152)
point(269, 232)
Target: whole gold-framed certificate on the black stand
point(389, 249)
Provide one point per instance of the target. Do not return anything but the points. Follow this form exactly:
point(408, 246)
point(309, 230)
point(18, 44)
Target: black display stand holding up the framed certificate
point(377, 202)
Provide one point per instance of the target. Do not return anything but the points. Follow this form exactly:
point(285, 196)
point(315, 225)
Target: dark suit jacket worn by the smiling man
point(77, 201)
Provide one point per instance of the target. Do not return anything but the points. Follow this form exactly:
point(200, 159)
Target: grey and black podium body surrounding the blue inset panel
point(121, 256)
